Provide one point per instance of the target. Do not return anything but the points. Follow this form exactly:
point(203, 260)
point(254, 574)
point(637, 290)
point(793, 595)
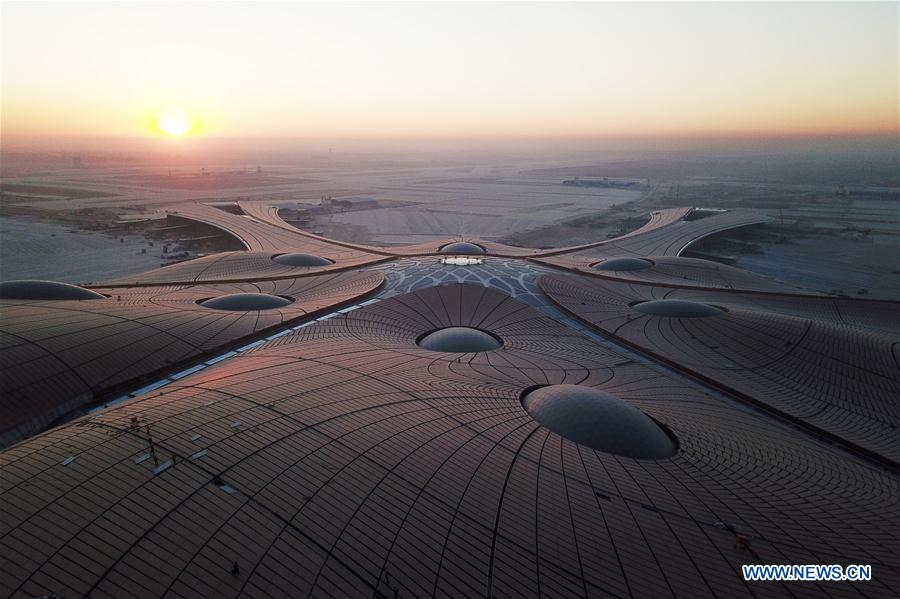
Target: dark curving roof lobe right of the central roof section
point(800, 357)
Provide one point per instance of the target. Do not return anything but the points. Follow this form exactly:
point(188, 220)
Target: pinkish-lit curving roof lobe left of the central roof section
point(62, 354)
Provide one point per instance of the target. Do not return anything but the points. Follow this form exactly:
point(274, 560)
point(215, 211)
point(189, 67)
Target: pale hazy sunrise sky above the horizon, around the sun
point(357, 70)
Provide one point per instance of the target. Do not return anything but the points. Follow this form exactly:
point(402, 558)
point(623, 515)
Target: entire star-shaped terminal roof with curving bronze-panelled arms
point(156, 446)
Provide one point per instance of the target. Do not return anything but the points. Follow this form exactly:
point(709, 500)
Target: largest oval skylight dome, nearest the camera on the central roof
point(599, 420)
